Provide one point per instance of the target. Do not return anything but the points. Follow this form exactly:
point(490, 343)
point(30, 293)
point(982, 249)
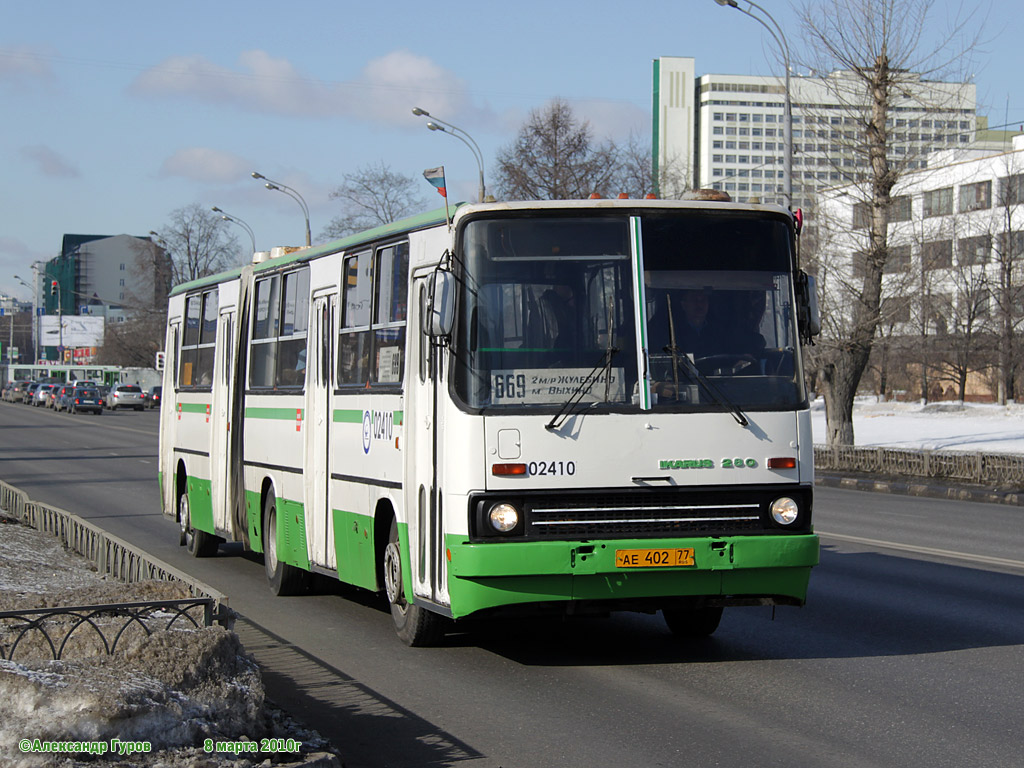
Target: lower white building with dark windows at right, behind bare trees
point(955, 228)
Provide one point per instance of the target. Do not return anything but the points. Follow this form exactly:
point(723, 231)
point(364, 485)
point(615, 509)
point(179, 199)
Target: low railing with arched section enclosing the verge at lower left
point(54, 630)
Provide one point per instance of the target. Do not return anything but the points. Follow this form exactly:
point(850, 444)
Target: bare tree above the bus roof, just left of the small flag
point(374, 195)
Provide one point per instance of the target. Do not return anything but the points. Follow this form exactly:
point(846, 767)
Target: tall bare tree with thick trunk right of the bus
point(878, 48)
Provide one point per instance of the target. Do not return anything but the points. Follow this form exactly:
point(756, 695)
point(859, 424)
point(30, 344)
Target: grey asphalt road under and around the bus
point(911, 651)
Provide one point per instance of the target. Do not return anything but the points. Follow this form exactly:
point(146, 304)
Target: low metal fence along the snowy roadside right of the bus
point(994, 471)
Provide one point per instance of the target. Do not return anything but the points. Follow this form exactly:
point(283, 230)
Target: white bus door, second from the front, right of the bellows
point(317, 423)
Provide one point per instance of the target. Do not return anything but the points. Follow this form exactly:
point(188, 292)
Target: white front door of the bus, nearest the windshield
point(422, 453)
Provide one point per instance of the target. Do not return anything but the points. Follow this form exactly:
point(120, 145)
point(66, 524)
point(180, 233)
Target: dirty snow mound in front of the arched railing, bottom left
point(172, 690)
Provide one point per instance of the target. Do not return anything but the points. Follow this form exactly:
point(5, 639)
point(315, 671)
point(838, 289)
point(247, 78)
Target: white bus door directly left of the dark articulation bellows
point(221, 422)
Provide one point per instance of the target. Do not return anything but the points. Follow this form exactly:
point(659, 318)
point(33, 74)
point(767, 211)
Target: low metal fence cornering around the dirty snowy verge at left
point(119, 560)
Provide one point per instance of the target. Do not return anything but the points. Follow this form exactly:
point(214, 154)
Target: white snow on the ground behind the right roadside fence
point(936, 426)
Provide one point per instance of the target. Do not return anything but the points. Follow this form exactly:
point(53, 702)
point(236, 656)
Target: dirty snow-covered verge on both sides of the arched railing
point(178, 692)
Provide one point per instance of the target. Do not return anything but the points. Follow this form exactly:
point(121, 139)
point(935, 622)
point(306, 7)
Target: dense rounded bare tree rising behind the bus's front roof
point(554, 157)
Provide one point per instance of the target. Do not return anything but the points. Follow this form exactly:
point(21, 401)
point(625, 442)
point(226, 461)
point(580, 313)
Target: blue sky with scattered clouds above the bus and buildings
point(116, 114)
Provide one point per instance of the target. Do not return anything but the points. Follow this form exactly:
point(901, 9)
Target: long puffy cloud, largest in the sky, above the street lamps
point(383, 92)
